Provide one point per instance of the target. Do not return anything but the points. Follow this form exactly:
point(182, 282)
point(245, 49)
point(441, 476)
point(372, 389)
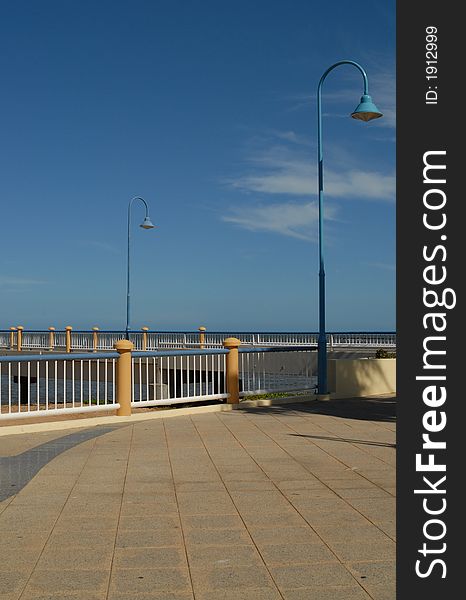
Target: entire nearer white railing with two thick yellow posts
point(37, 385)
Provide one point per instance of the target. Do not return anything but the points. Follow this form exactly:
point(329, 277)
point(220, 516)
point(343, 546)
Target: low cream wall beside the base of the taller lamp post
point(348, 378)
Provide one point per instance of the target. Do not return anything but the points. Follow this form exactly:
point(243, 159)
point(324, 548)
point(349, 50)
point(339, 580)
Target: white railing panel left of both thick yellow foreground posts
point(58, 384)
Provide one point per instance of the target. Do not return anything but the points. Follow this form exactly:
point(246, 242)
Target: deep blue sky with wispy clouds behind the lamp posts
point(208, 111)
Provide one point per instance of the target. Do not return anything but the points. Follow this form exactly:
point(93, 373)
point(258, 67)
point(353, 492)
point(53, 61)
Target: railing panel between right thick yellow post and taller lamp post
point(270, 370)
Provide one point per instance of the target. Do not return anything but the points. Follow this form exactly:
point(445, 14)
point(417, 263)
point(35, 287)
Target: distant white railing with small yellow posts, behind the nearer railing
point(95, 340)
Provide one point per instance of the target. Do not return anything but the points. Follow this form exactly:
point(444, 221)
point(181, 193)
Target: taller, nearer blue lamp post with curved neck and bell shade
point(365, 111)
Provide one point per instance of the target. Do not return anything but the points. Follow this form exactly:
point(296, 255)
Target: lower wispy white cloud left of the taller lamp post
point(293, 219)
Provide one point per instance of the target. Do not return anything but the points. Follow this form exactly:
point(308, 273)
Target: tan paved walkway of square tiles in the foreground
point(293, 502)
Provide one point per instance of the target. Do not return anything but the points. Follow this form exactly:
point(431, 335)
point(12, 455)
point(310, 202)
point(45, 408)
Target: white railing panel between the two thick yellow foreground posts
point(172, 377)
